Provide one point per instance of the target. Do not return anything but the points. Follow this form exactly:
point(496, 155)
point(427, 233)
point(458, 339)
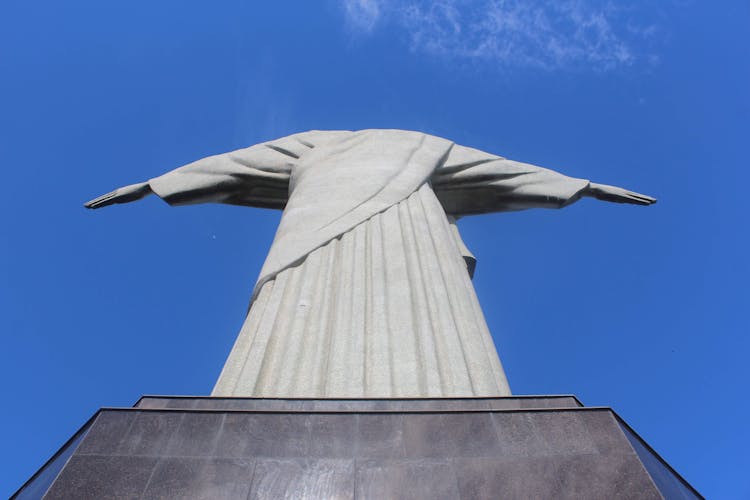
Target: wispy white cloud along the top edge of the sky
point(518, 33)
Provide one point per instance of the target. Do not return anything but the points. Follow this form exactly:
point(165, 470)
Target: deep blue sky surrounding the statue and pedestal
point(641, 309)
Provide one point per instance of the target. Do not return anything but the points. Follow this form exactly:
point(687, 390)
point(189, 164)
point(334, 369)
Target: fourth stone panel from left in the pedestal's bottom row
point(407, 479)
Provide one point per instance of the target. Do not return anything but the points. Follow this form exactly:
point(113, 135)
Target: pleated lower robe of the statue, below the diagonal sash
point(387, 309)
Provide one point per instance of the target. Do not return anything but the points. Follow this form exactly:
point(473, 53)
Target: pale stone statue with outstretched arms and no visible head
point(366, 291)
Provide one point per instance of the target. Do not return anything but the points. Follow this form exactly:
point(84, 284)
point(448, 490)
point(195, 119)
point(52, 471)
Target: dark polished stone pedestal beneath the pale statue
point(468, 448)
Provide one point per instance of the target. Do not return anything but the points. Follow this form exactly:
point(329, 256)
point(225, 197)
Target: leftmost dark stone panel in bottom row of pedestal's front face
point(102, 478)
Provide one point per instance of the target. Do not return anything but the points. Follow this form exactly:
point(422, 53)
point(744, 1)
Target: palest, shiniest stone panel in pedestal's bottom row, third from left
point(303, 479)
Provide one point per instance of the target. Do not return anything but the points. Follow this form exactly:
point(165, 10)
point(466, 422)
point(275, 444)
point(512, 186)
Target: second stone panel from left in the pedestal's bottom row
point(200, 479)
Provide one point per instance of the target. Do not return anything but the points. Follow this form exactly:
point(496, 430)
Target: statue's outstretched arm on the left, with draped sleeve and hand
point(257, 176)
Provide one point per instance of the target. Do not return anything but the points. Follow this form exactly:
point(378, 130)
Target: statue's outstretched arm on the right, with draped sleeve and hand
point(473, 182)
